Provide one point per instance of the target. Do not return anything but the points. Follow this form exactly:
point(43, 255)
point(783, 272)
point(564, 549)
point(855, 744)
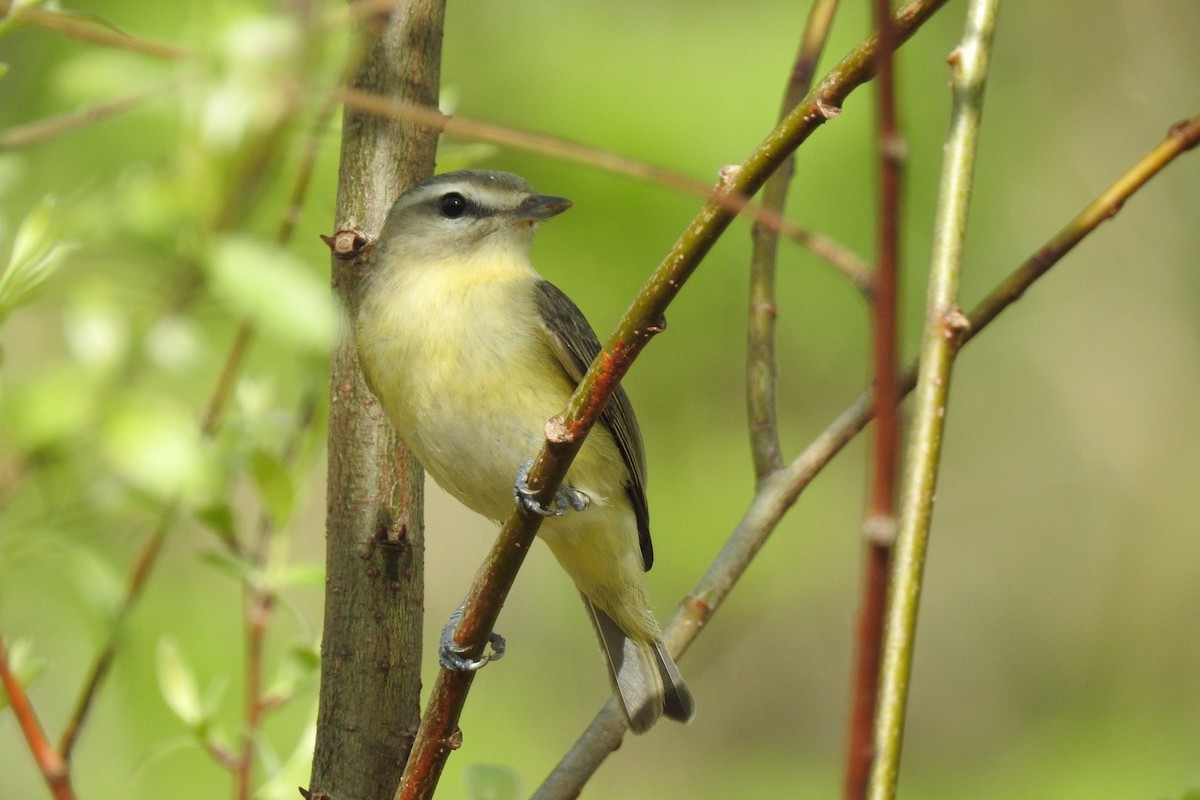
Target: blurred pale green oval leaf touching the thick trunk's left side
point(277, 290)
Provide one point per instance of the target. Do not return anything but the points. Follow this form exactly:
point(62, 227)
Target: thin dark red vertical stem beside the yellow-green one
point(879, 528)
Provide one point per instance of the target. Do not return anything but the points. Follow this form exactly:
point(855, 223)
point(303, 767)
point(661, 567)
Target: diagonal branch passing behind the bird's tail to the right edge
point(781, 491)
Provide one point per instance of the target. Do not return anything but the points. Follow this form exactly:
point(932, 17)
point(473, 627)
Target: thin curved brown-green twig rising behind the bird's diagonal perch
point(761, 365)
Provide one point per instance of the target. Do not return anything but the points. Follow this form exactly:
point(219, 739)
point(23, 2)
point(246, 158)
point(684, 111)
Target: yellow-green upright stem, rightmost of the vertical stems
point(945, 324)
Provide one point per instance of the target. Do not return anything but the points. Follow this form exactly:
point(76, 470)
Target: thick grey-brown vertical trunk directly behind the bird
point(370, 677)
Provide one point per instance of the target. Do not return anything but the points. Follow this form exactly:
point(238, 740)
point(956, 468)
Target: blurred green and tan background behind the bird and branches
point(1059, 653)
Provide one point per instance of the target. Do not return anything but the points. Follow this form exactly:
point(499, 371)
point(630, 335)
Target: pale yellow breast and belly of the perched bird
point(470, 383)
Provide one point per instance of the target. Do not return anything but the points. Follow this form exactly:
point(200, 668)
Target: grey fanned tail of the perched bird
point(645, 679)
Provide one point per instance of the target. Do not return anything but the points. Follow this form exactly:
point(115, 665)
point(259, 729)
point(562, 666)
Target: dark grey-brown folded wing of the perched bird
point(577, 346)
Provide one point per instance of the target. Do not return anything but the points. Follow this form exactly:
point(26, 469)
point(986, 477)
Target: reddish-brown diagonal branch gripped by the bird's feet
point(565, 436)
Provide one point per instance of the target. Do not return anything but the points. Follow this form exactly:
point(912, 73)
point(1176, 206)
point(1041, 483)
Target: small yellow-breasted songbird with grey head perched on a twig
point(470, 352)
